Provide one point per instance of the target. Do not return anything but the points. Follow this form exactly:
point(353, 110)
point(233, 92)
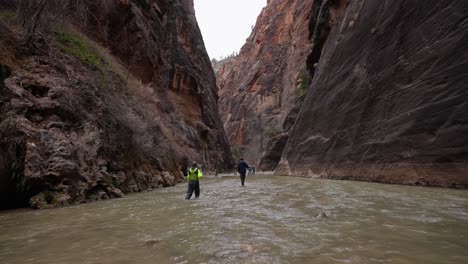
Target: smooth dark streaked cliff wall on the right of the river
point(389, 98)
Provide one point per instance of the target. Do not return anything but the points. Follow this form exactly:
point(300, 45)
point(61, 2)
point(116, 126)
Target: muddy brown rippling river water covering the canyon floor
point(270, 220)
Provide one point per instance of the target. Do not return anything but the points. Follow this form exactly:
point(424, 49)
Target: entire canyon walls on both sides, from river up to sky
point(99, 99)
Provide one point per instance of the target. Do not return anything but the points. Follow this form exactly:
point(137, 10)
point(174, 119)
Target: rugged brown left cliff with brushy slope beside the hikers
point(102, 98)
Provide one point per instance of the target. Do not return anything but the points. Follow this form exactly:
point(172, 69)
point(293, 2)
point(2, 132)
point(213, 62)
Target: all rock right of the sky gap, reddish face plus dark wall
point(385, 99)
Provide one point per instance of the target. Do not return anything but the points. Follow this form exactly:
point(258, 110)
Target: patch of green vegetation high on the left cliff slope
point(77, 46)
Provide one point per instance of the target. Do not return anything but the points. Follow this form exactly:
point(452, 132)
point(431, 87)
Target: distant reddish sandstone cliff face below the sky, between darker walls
point(261, 86)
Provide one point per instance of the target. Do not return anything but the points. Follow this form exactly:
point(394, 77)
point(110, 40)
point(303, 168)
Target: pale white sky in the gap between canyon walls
point(225, 24)
